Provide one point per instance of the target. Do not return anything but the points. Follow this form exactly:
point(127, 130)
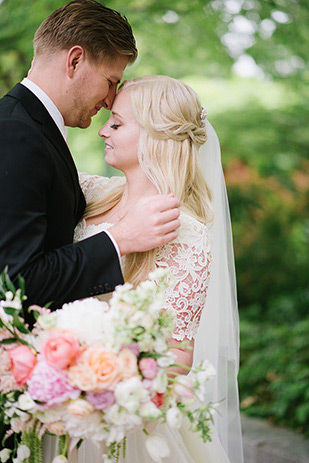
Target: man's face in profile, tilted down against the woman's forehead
point(94, 88)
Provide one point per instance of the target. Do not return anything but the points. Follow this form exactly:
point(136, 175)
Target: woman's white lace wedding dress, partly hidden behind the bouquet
point(189, 258)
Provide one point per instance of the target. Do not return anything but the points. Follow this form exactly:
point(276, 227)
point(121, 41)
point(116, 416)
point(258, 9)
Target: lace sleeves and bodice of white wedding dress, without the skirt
point(188, 257)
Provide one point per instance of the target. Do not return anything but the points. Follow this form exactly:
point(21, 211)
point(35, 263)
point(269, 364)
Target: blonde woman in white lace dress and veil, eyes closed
point(155, 135)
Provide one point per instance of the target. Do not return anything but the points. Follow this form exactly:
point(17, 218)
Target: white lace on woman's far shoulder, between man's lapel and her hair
point(93, 185)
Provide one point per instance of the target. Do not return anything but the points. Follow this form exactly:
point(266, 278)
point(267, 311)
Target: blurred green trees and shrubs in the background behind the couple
point(262, 125)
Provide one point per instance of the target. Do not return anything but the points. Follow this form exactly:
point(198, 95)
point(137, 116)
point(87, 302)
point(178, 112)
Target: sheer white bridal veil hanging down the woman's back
point(218, 334)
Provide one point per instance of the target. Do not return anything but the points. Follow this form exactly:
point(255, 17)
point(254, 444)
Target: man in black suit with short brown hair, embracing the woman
point(80, 53)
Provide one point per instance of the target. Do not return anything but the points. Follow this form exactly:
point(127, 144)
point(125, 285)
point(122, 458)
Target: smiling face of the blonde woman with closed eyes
point(121, 135)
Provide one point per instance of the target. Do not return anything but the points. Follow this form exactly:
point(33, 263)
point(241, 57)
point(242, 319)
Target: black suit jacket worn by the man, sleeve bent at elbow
point(40, 204)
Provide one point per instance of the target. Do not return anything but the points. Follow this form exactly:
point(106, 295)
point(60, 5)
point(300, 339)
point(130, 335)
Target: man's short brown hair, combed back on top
point(102, 32)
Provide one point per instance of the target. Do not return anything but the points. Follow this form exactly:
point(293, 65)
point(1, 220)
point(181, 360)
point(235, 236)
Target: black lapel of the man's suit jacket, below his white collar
point(39, 113)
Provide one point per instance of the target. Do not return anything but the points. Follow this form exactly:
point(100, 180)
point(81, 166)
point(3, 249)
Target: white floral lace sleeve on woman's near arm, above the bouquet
point(188, 258)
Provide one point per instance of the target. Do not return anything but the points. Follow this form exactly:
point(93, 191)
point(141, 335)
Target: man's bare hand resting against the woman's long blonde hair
point(151, 223)
